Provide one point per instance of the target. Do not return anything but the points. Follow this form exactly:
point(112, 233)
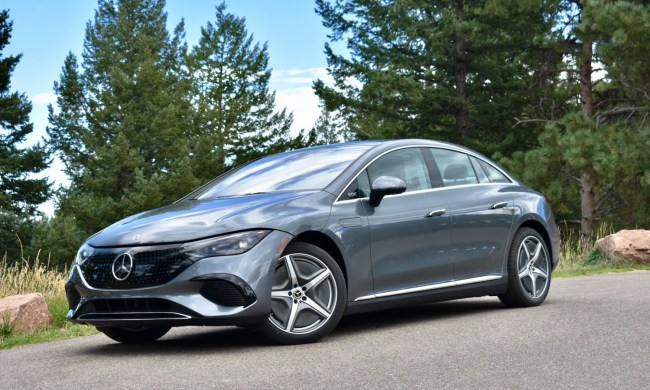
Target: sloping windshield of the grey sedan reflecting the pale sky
point(303, 169)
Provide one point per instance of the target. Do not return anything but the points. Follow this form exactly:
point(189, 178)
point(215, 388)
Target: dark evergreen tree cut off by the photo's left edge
point(20, 194)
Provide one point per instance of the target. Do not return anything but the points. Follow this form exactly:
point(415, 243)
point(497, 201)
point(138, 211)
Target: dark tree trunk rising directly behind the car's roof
point(460, 71)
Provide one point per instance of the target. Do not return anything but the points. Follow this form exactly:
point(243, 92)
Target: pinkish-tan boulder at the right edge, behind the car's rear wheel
point(631, 244)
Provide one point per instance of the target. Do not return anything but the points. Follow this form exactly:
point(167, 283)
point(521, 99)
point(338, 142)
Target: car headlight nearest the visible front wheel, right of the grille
point(232, 244)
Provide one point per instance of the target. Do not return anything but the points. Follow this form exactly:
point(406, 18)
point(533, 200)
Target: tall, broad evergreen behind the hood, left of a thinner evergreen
point(121, 118)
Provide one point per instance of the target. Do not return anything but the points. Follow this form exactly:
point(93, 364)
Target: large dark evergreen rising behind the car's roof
point(451, 70)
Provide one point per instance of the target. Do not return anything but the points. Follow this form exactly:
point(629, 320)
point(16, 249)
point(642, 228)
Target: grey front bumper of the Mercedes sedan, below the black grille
point(225, 290)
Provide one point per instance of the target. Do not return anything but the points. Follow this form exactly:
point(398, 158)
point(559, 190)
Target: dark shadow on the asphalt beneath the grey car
point(196, 340)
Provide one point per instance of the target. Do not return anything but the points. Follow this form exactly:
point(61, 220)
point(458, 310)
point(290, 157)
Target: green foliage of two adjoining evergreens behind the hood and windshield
point(139, 122)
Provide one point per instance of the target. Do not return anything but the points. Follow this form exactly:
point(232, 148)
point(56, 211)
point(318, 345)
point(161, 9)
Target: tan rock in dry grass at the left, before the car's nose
point(25, 312)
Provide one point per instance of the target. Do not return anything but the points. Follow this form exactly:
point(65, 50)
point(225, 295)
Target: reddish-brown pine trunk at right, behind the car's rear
point(587, 204)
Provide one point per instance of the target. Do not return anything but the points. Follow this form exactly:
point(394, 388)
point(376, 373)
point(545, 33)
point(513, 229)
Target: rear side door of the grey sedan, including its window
point(481, 212)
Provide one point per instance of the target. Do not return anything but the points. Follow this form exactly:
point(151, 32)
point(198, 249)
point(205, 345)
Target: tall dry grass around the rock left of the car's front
point(26, 278)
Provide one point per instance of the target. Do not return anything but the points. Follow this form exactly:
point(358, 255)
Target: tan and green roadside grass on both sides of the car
point(25, 278)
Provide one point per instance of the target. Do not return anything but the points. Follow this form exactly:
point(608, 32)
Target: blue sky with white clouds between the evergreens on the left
point(44, 31)
